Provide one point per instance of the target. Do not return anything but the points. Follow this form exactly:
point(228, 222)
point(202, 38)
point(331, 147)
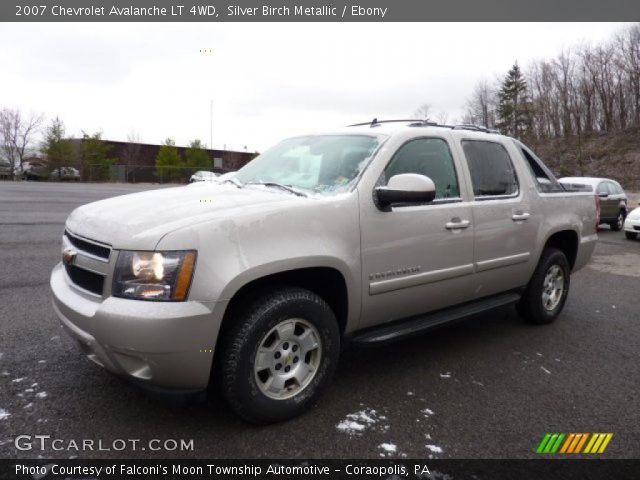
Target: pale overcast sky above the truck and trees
point(267, 81)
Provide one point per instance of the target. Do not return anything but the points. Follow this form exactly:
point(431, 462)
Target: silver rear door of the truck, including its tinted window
point(505, 227)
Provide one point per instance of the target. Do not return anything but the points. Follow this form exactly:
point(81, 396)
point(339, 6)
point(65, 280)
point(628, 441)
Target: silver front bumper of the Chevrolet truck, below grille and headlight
point(160, 344)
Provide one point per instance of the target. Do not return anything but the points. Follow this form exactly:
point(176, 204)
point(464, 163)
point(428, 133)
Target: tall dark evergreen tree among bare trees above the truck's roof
point(514, 113)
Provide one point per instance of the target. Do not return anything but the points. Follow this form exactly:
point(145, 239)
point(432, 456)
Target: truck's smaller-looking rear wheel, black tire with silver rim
point(537, 305)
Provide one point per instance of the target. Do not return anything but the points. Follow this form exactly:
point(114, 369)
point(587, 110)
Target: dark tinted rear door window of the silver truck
point(492, 172)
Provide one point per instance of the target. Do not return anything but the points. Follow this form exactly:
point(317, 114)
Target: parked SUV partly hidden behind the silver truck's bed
point(613, 199)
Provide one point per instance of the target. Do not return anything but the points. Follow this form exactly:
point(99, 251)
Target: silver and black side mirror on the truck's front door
point(405, 188)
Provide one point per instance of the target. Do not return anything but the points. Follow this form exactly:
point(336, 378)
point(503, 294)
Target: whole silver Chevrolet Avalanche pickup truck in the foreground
point(366, 234)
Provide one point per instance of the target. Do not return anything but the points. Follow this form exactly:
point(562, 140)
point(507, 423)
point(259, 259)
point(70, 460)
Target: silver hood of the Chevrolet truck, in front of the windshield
point(140, 220)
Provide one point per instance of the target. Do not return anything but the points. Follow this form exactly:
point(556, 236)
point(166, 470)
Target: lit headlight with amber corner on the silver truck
point(154, 275)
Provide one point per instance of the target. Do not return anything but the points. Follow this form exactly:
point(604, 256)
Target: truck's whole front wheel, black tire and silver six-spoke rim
point(274, 324)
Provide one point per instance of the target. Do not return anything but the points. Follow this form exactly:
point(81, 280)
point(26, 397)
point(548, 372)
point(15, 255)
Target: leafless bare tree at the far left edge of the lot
point(17, 134)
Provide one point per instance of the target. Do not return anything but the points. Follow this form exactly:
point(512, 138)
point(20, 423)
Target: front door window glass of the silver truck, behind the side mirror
point(430, 157)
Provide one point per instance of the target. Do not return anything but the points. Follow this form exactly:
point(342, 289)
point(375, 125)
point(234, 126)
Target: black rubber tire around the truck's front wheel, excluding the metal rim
point(240, 387)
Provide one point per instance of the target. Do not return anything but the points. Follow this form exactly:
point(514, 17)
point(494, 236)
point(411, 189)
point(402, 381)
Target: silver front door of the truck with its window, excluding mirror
point(417, 258)
